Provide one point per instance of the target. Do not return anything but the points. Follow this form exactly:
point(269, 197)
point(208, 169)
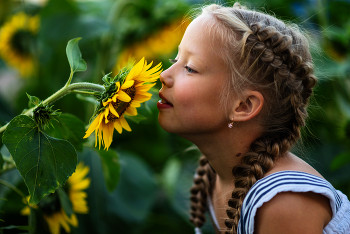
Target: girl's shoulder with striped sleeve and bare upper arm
point(291, 200)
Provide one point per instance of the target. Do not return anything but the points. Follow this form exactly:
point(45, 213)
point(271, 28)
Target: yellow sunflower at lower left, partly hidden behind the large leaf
point(51, 207)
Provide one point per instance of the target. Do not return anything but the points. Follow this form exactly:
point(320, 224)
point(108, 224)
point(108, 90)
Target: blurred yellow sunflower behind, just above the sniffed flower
point(162, 43)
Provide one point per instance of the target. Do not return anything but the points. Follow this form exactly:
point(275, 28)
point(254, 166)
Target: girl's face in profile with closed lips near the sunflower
point(191, 93)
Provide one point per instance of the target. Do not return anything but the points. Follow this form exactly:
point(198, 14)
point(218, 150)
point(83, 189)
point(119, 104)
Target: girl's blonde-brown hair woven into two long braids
point(273, 58)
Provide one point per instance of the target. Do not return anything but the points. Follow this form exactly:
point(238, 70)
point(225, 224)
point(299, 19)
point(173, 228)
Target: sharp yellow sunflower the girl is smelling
point(122, 97)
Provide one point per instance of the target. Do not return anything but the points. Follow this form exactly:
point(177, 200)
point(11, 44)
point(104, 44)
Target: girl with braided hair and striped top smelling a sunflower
point(238, 89)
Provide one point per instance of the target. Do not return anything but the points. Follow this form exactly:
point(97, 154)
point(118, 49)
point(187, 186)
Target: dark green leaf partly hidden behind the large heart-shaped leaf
point(70, 128)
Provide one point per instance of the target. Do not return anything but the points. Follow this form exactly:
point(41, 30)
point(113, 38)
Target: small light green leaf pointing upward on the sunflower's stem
point(76, 63)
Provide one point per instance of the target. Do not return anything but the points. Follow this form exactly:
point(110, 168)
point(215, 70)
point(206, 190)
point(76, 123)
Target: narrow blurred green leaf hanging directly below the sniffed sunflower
point(111, 168)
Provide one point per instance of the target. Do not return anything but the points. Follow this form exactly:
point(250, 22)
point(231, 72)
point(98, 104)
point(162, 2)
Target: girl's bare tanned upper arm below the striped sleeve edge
point(293, 213)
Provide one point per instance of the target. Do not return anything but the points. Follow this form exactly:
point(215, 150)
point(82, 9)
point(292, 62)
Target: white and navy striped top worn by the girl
point(293, 181)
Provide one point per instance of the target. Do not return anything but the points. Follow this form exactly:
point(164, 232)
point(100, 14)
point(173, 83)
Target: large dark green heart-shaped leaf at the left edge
point(44, 162)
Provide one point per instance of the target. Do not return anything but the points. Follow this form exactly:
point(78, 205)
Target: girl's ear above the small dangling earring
point(247, 107)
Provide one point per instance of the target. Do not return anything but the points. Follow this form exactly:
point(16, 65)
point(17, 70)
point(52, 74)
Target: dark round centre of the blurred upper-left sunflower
point(21, 42)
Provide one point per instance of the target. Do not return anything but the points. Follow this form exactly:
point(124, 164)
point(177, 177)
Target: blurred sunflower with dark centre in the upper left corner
point(16, 37)
